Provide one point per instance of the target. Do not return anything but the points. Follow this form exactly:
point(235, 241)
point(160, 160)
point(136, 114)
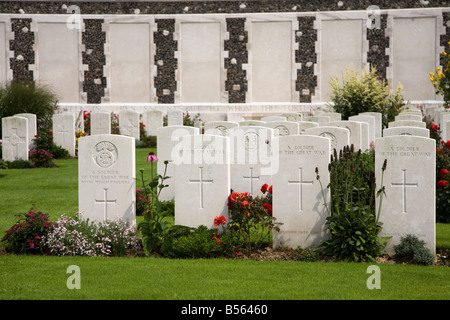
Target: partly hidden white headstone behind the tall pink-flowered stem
point(169, 141)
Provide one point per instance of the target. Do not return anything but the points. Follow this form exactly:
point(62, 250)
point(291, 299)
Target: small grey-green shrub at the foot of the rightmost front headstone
point(413, 250)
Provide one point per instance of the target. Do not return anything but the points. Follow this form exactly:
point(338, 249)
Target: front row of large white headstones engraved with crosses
point(205, 167)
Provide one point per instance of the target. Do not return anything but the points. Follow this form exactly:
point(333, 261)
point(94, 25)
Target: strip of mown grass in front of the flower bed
point(44, 277)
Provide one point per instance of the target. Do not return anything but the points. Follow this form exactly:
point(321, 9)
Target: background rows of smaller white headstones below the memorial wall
point(368, 127)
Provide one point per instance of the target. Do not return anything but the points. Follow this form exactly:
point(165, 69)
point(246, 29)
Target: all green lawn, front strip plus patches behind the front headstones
point(54, 191)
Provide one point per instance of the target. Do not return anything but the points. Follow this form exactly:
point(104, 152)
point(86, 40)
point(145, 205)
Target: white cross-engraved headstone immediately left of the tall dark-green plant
point(297, 195)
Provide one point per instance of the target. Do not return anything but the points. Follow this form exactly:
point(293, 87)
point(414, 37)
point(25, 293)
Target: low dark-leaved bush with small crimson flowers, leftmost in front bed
point(26, 236)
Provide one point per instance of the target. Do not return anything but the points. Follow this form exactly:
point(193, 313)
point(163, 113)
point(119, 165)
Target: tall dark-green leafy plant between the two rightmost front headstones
point(352, 219)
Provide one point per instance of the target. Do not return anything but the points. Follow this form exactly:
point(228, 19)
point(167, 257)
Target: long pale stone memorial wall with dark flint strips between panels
point(216, 57)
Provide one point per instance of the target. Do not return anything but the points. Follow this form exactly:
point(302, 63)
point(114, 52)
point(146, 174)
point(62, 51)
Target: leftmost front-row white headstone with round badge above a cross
point(106, 177)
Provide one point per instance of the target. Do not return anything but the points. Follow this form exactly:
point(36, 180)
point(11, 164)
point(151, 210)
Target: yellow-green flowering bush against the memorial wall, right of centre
point(363, 92)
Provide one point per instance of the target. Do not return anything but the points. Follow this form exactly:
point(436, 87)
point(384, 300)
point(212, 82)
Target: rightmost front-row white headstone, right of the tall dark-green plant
point(409, 182)
